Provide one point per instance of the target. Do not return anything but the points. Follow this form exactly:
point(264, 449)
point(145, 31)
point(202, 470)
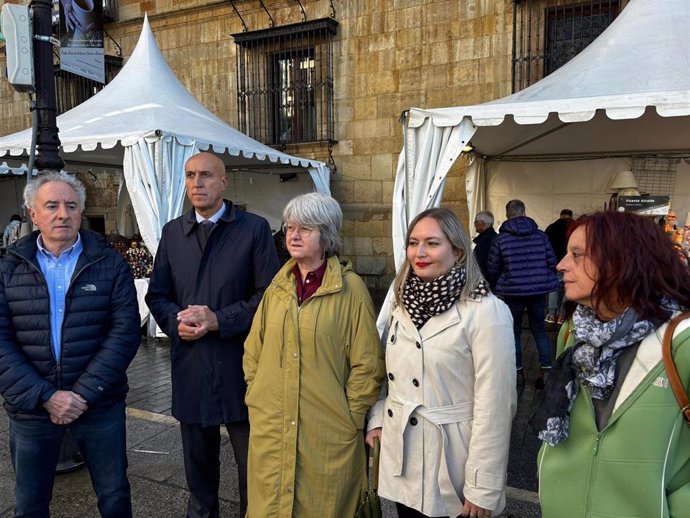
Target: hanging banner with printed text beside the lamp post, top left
point(81, 38)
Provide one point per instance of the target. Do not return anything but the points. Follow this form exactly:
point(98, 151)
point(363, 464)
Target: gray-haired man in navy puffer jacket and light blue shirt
point(69, 327)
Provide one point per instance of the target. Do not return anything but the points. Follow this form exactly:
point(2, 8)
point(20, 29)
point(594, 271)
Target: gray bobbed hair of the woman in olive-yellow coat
point(320, 211)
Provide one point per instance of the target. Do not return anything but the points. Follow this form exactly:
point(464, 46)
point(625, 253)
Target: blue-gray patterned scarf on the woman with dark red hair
point(592, 362)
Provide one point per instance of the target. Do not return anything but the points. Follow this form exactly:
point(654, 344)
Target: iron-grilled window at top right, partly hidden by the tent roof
point(549, 33)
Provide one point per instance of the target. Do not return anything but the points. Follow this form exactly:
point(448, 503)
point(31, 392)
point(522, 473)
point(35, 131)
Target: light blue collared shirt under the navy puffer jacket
point(58, 273)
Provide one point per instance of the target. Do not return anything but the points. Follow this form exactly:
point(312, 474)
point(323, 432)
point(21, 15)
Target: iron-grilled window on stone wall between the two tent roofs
point(285, 83)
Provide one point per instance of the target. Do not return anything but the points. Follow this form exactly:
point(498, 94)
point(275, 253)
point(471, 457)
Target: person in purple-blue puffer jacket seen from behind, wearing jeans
point(522, 270)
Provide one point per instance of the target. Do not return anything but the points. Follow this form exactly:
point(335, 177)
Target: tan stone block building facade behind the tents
point(388, 56)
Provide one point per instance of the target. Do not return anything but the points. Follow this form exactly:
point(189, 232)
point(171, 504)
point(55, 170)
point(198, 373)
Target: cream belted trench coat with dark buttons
point(447, 416)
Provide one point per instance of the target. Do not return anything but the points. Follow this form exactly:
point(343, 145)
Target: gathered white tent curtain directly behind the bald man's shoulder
point(153, 174)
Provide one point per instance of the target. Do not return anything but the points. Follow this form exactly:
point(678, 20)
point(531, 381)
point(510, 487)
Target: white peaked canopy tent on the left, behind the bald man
point(146, 122)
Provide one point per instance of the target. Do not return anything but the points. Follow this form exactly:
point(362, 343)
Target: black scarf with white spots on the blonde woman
point(424, 300)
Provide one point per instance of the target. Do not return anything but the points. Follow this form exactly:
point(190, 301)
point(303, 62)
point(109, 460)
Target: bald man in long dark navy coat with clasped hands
point(212, 267)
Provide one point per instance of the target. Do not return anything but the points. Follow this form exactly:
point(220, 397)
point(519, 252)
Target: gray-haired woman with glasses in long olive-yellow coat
point(313, 365)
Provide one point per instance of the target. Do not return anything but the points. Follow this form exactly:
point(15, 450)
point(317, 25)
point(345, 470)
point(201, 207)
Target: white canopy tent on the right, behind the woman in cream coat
point(627, 94)
